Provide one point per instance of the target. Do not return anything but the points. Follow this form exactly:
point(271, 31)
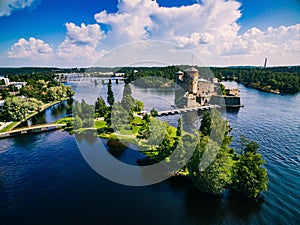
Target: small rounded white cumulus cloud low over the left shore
point(32, 49)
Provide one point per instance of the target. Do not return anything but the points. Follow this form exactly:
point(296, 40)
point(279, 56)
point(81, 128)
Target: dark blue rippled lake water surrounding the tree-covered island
point(45, 180)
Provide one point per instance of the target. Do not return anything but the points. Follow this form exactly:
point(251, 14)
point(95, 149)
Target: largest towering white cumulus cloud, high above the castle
point(186, 25)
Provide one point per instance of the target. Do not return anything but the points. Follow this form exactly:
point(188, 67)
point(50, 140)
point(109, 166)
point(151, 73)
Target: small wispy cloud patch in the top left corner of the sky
point(8, 6)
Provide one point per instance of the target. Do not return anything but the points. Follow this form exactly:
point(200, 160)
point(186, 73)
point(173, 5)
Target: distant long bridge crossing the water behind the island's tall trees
point(79, 77)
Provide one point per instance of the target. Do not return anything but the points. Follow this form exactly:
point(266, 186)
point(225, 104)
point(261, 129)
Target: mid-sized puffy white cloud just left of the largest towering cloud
point(80, 42)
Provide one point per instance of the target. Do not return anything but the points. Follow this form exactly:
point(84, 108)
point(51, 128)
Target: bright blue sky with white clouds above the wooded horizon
point(79, 33)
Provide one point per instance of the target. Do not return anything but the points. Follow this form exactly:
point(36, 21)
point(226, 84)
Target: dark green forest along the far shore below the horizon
point(271, 79)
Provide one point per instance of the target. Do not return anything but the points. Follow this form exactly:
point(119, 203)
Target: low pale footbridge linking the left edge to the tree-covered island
point(31, 130)
